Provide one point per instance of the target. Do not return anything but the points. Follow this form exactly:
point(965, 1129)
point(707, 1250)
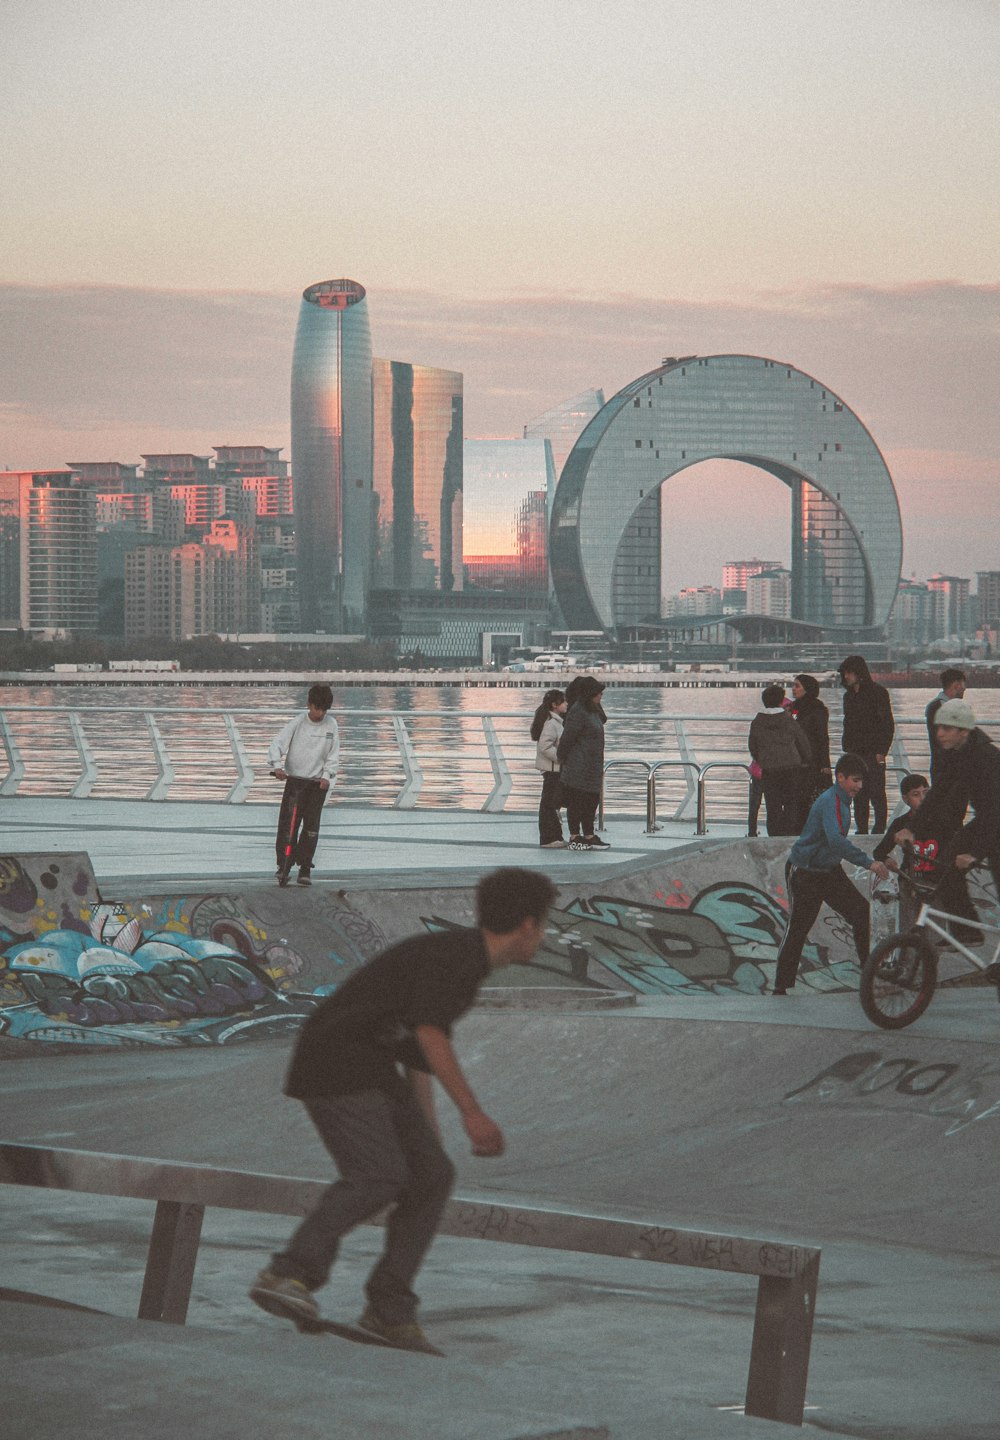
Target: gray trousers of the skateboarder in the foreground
point(387, 1156)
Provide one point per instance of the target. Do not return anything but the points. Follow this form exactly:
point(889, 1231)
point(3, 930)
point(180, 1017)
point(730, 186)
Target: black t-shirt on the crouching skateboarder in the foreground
point(367, 1029)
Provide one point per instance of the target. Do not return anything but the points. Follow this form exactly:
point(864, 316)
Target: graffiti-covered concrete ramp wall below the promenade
point(210, 970)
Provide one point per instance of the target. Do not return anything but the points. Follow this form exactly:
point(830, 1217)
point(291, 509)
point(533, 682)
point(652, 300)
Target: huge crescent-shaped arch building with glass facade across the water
point(744, 408)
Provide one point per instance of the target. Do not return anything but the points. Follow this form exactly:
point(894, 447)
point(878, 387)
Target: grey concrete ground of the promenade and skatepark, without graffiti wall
point(785, 1120)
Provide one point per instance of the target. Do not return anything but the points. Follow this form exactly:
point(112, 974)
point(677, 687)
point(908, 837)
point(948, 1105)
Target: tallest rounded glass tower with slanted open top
point(332, 456)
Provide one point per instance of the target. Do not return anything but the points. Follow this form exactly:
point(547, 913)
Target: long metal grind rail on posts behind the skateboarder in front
point(787, 1274)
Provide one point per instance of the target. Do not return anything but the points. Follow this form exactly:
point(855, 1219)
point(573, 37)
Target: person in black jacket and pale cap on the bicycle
point(973, 778)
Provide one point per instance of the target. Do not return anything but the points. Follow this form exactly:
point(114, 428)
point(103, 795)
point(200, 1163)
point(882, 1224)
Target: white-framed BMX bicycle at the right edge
point(901, 974)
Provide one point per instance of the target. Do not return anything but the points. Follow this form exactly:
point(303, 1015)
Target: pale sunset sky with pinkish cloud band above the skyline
point(544, 198)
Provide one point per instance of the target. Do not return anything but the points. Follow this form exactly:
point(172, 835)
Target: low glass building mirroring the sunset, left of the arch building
point(504, 482)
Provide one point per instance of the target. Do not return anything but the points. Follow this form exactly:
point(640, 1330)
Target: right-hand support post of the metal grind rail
point(783, 1334)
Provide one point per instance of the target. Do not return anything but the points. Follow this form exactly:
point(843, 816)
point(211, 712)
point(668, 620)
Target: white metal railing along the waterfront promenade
point(396, 758)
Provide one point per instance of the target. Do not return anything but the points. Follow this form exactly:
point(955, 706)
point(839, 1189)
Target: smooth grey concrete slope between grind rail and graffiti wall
point(779, 1131)
